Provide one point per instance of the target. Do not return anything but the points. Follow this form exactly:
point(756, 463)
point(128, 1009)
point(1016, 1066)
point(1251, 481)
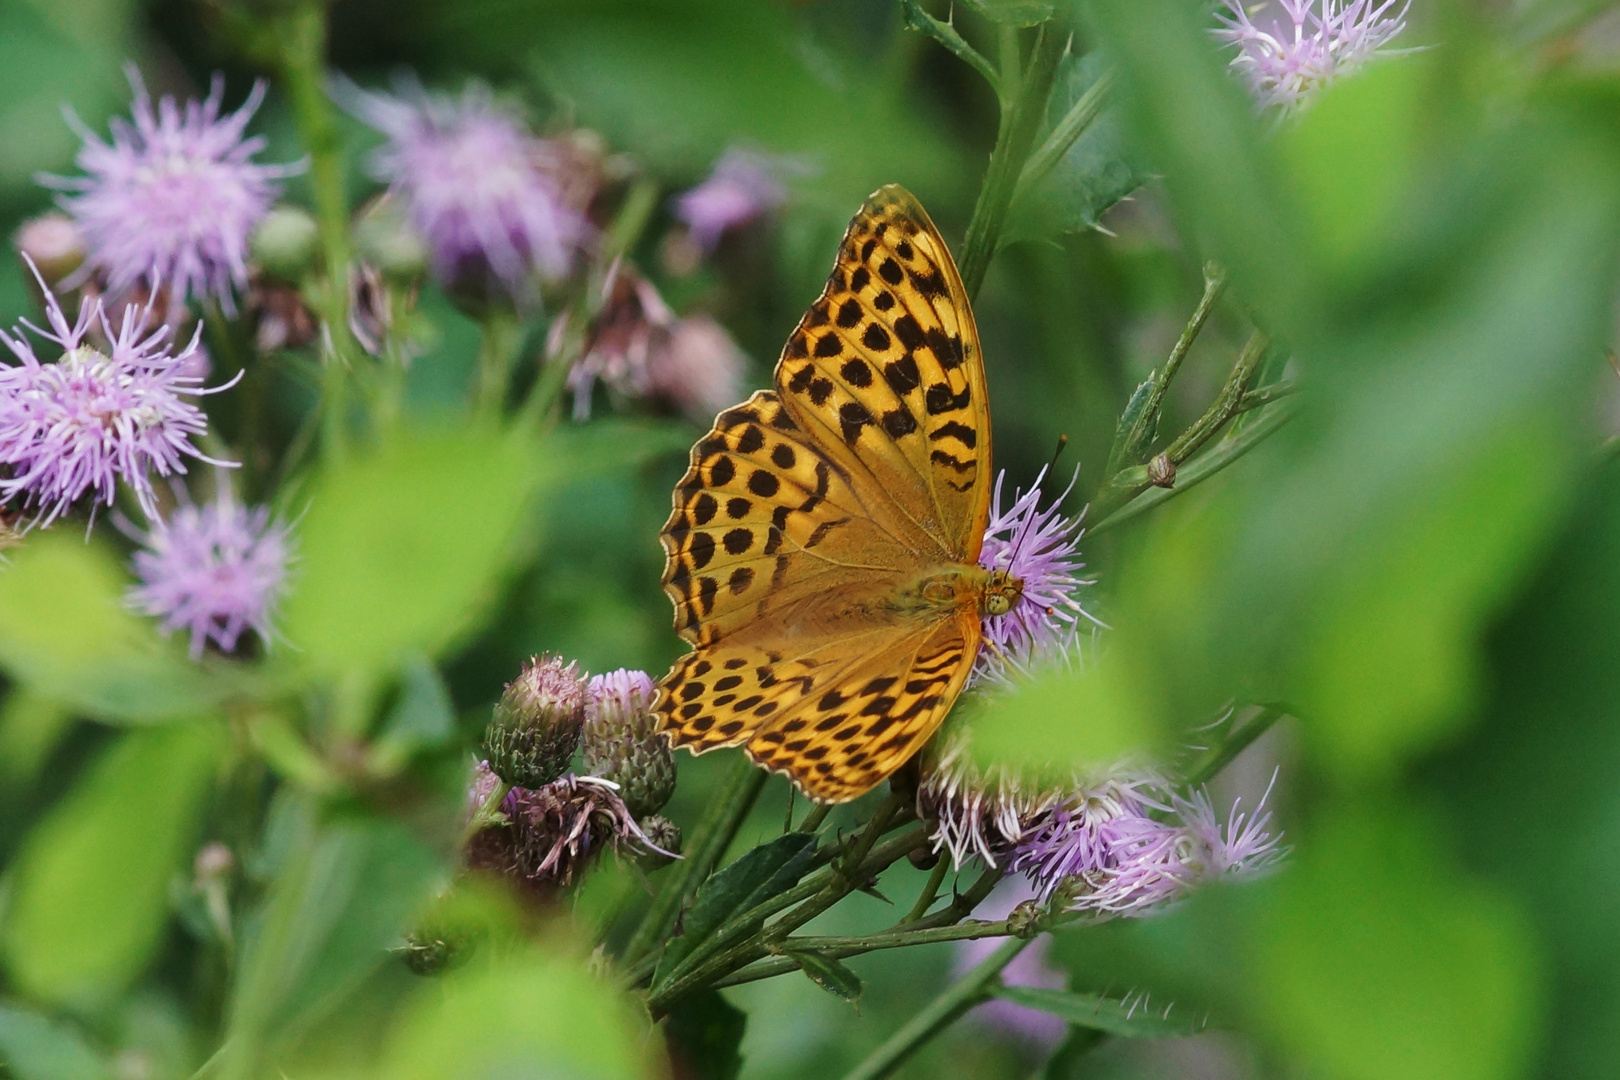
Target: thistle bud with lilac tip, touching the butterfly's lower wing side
point(623, 742)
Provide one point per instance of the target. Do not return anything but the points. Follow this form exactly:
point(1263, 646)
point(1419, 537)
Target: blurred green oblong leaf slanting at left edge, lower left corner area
point(92, 890)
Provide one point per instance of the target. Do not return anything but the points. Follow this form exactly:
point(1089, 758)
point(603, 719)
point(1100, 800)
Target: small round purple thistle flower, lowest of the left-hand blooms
point(213, 571)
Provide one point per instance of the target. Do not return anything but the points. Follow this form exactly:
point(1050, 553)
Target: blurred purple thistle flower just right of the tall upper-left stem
point(479, 187)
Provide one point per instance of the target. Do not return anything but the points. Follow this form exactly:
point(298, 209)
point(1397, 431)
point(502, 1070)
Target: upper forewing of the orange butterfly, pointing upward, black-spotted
point(887, 372)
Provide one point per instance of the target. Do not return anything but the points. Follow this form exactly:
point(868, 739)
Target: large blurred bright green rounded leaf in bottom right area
point(1371, 933)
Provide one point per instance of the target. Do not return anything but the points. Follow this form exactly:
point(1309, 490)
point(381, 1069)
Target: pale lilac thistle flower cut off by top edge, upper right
point(1308, 45)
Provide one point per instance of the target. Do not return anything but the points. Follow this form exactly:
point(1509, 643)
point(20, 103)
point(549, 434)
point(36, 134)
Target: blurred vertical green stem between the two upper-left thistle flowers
point(302, 36)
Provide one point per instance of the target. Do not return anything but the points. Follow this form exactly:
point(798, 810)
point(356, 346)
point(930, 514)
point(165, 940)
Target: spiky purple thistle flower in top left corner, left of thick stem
point(174, 197)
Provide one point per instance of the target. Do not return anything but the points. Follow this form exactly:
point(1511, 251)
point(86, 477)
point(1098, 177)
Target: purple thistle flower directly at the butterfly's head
point(1041, 548)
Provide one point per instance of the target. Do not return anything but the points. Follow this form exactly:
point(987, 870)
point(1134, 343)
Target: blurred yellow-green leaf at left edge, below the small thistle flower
point(67, 634)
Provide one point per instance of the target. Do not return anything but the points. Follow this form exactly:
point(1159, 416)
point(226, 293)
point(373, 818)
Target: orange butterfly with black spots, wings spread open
point(822, 553)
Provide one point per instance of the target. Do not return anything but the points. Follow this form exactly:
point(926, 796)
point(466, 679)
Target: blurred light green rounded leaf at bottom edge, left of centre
point(532, 1014)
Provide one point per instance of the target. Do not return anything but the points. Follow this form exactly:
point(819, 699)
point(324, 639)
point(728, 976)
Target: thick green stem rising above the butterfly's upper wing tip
point(1023, 93)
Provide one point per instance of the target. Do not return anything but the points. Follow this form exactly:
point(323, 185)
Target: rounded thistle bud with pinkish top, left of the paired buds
point(537, 725)
